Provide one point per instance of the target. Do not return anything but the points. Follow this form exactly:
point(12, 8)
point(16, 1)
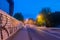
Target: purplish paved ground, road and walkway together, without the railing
point(37, 33)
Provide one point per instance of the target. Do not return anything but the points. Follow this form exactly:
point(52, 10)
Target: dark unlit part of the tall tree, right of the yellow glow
point(46, 13)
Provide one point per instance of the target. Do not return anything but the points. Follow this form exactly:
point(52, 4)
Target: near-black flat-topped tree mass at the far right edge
point(55, 18)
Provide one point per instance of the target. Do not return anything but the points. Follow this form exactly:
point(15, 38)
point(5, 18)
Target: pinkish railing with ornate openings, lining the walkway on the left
point(8, 25)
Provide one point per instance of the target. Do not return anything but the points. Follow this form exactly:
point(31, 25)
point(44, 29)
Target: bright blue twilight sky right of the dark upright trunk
point(31, 8)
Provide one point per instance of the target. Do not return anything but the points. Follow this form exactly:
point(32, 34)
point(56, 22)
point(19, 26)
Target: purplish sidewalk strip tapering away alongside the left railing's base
point(20, 35)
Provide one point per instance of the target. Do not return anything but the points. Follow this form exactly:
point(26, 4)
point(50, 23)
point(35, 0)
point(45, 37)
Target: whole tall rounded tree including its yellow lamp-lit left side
point(45, 12)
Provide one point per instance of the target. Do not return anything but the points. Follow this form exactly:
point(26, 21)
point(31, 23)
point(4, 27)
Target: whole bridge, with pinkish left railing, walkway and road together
point(12, 29)
